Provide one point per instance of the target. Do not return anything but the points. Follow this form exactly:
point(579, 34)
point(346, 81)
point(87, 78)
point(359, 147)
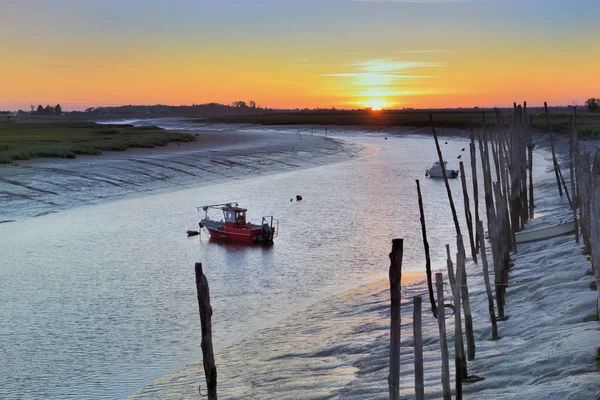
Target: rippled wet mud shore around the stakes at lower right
point(546, 348)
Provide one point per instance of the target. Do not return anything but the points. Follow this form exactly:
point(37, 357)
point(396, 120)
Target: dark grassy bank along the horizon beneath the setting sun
point(588, 124)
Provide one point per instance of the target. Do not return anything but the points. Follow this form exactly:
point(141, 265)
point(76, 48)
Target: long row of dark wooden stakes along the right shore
point(509, 204)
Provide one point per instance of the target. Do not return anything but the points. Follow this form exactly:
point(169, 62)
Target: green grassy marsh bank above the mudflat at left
point(23, 139)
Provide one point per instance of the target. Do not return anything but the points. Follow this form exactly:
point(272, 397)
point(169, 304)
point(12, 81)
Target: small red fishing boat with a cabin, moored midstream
point(235, 228)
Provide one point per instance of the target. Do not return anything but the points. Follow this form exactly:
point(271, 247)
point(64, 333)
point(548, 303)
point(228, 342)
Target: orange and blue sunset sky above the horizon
point(299, 54)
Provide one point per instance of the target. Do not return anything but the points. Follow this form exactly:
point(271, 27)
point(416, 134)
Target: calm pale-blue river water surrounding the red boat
point(99, 301)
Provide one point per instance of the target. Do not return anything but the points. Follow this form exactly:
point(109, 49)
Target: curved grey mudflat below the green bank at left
point(42, 186)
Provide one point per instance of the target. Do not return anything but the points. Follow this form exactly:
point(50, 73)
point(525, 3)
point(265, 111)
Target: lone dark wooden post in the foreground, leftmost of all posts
point(208, 358)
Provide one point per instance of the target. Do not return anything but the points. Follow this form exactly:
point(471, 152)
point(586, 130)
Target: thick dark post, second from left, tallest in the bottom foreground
point(395, 291)
